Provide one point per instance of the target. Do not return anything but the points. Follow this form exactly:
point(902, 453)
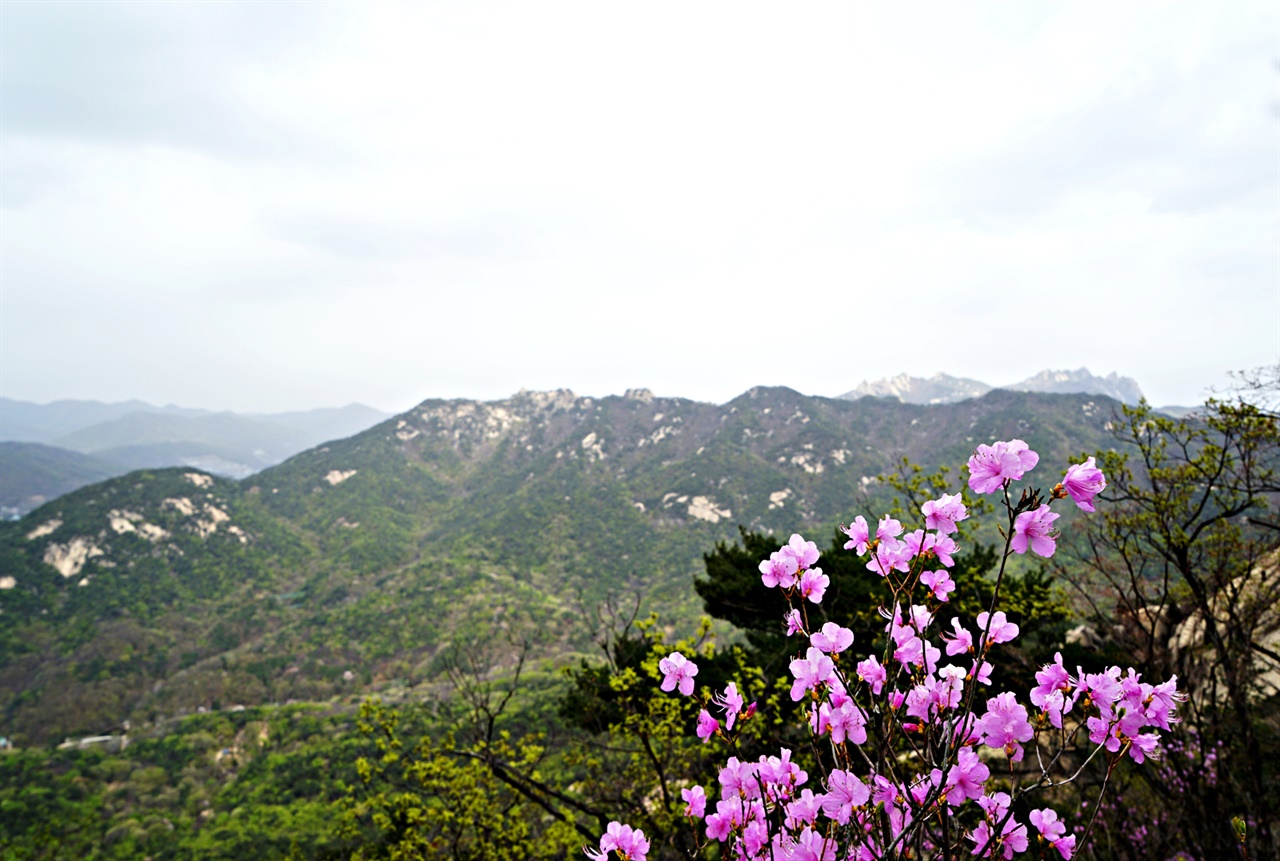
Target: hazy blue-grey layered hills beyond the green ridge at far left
point(51, 450)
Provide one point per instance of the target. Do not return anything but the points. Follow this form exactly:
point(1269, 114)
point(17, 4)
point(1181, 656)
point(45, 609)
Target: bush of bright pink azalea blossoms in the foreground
point(925, 761)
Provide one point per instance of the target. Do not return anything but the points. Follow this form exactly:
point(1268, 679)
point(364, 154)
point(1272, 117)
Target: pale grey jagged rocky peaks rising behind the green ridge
point(944, 388)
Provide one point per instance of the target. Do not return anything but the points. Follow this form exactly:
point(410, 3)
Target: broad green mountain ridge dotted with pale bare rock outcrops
point(360, 561)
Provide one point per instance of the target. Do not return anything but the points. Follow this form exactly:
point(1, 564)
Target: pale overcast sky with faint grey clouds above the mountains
point(266, 208)
